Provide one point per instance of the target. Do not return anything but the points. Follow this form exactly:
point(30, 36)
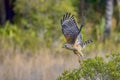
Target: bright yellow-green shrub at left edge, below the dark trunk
point(13, 36)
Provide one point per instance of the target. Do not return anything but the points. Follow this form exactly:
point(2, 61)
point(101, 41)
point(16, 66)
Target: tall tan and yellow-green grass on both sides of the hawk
point(47, 64)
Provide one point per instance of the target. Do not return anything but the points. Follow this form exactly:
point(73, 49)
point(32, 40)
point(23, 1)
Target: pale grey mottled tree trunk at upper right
point(108, 17)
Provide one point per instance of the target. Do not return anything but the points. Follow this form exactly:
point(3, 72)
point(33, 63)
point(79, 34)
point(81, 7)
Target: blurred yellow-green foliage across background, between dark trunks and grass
point(38, 21)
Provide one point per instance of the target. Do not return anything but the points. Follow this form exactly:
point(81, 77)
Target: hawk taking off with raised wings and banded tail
point(73, 35)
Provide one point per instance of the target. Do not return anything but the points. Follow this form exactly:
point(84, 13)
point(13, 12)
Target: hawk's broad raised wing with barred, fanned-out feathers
point(69, 28)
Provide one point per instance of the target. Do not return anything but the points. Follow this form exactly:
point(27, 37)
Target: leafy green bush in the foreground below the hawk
point(97, 68)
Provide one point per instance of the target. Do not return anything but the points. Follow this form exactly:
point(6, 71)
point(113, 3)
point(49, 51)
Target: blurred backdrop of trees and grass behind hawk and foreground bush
point(31, 38)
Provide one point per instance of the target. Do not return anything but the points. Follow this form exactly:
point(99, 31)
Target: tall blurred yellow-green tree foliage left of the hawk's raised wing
point(43, 16)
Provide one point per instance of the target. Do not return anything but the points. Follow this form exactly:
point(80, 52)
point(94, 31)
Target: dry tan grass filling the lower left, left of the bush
point(41, 66)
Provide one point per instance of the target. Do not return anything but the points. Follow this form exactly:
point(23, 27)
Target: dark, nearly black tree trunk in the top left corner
point(6, 11)
